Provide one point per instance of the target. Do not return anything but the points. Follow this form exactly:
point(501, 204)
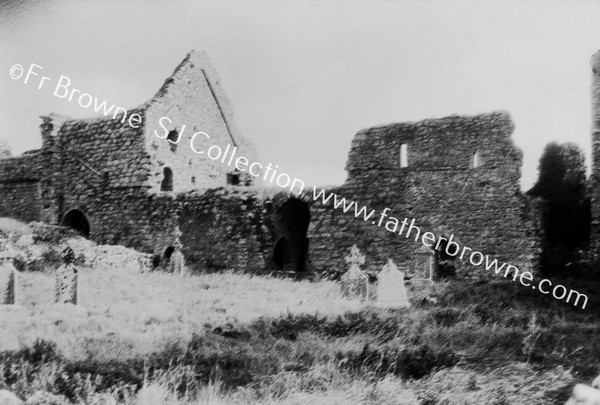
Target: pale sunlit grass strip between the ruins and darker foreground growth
point(127, 314)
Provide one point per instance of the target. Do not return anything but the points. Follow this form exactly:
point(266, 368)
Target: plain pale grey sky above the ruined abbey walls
point(304, 76)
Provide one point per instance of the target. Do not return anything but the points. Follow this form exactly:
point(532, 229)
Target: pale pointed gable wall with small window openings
point(192, 101)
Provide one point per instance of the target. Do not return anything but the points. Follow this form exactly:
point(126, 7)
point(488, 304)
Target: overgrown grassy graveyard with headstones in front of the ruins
point(134, 336)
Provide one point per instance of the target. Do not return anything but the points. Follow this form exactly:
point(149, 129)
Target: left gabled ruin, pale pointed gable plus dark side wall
point(103, 175)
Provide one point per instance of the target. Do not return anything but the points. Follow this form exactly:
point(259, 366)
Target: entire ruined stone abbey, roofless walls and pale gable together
point(118, 184)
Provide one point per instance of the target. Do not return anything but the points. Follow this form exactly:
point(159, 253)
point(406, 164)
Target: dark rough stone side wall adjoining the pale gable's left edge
point(99, 167)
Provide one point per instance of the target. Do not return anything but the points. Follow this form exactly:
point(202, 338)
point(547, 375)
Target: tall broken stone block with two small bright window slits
point(444, 188)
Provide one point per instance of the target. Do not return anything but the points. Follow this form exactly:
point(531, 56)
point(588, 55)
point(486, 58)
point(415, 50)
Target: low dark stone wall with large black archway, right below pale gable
point(247, 229)
